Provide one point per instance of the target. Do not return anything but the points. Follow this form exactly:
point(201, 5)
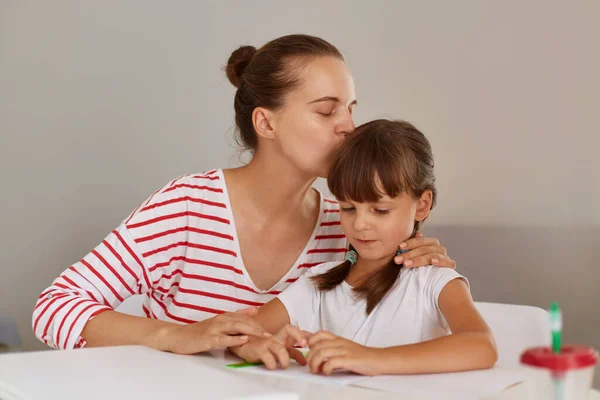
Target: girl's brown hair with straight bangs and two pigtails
point(396, 155)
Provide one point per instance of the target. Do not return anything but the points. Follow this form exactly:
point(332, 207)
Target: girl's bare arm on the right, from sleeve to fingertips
point(470, 346)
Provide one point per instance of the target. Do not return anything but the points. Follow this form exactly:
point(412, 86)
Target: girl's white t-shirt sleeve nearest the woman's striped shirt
point(301, 300)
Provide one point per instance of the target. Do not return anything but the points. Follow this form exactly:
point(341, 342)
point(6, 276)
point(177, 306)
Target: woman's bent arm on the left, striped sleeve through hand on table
point(79, 306)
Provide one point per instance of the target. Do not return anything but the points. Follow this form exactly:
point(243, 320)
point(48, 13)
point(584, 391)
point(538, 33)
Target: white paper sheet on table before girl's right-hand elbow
point(469, 385)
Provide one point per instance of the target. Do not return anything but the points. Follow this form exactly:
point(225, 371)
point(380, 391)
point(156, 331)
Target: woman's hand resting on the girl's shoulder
point(424, 251)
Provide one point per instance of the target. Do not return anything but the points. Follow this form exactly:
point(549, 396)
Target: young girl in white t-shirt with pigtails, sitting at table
point(372, 316)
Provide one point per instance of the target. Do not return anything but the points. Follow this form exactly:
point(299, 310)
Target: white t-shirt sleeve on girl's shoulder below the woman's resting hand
point(435, 279)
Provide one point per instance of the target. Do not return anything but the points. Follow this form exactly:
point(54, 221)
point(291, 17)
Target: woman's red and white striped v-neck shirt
point(180, 250)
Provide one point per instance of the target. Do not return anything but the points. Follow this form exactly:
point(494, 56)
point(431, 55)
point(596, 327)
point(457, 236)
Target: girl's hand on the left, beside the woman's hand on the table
point(276, 349)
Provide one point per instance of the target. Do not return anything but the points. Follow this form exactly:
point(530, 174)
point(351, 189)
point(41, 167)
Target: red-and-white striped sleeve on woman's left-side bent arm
point(105, 277)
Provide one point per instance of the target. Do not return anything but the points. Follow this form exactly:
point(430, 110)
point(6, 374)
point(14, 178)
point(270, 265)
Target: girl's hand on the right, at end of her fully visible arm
point(329, 352)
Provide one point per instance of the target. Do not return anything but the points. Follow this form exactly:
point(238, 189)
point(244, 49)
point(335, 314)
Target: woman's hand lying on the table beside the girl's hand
point(224, 330)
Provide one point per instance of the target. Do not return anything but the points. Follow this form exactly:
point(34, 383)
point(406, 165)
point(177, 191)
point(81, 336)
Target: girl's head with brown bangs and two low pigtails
point(383, 179)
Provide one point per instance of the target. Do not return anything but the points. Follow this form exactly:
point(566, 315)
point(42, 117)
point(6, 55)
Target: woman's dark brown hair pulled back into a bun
point(264, 76)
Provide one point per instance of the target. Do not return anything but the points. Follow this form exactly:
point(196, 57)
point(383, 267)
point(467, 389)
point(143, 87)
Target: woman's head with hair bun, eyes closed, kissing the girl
point(294, 101)
